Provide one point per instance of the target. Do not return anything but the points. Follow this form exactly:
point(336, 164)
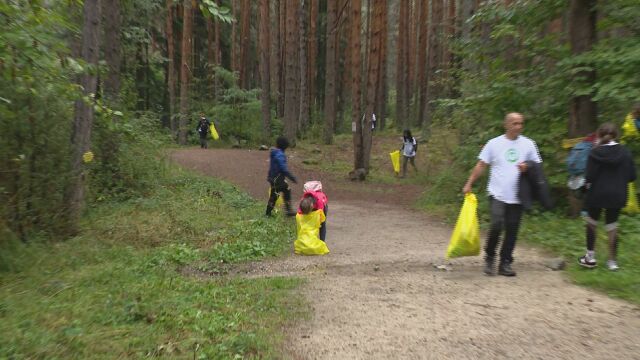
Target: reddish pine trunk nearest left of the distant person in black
point(185, 70)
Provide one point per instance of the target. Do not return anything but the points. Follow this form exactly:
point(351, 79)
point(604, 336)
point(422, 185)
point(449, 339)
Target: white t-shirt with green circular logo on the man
point(504, 155)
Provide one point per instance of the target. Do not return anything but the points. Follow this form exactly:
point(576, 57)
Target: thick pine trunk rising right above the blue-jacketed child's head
point(290, 94)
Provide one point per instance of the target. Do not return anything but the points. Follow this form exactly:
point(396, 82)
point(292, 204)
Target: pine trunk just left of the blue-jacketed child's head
point(265, 47)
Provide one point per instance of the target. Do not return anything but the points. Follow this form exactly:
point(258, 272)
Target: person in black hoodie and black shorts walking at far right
point(609, 170)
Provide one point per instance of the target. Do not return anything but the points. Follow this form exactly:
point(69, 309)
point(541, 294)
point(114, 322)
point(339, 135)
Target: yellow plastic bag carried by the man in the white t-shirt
point(465, 240)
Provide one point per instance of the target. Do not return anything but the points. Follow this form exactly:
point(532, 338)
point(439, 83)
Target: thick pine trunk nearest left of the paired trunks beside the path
point(331, 75)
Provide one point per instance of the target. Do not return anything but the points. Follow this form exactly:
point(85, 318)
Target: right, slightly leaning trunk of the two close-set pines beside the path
point(372, 78)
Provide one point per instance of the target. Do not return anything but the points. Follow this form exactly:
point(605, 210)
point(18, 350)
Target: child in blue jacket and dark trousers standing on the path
point(278, 172)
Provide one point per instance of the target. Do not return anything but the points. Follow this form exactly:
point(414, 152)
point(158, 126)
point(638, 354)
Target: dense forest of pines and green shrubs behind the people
point(89, 90)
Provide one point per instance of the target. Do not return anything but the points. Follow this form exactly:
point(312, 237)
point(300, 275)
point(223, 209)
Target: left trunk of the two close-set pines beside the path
point(356, 93)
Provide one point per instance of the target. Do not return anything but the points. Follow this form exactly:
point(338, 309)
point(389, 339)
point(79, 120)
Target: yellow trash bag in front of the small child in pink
point(308, 241)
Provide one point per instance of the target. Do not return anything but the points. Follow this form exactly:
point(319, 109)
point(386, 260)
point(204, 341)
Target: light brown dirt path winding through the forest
point(379, 296)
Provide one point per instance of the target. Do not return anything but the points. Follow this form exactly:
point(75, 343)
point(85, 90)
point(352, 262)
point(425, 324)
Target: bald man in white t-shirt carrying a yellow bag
point(506, 154)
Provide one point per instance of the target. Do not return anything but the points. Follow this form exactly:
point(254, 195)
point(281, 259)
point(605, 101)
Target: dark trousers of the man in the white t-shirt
point(503, 216)
